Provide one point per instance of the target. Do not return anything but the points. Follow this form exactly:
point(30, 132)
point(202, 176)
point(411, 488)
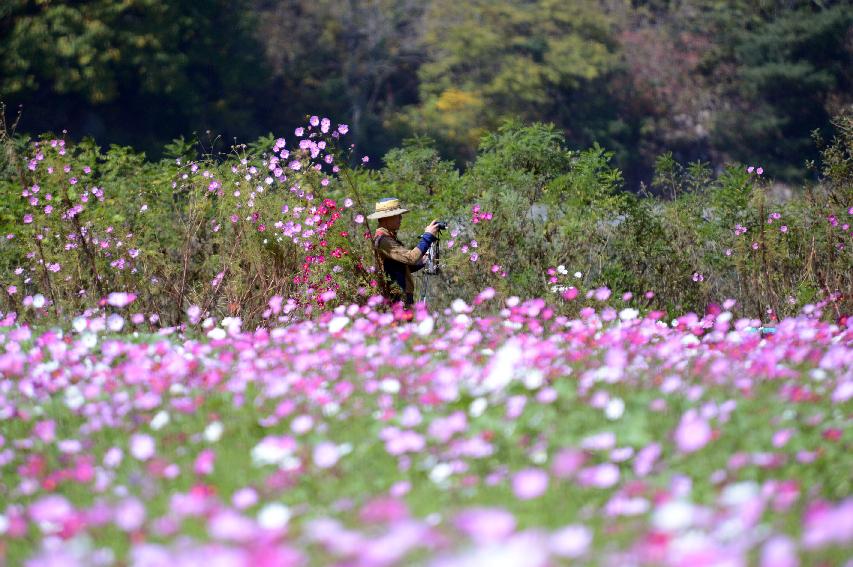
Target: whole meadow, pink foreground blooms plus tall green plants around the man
point(197, 366)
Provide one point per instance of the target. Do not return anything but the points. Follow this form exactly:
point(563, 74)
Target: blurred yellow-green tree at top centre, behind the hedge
point(488, 61)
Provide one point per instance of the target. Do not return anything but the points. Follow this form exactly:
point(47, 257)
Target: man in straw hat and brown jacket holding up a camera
point(397, 261)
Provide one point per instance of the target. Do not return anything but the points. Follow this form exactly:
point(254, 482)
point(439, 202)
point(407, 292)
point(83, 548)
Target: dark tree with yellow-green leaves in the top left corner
point(138, 71)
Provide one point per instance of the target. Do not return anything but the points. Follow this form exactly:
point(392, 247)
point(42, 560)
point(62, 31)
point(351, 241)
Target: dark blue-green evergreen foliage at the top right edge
point(789, 66)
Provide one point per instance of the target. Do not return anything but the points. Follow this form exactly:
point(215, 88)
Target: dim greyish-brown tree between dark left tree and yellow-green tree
point(352, 59)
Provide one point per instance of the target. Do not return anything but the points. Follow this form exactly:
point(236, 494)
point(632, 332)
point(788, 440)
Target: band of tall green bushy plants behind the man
point(527, 204)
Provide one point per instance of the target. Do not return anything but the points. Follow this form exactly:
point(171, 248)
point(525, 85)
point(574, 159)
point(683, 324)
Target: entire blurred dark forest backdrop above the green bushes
point(709, 80)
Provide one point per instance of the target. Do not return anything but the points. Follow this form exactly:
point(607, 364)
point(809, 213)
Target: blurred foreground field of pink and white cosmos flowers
point(497, 433)
